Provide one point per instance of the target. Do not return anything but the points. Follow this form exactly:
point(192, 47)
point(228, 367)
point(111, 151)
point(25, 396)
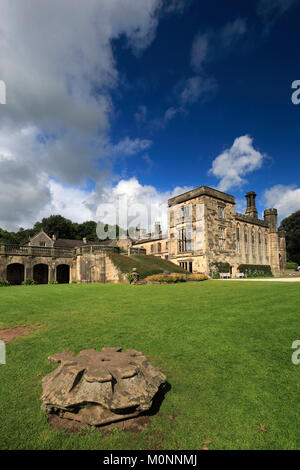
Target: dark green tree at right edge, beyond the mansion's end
point(291, 225)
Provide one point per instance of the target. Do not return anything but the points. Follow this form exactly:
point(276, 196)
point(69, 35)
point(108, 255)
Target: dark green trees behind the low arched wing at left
point(57, 225)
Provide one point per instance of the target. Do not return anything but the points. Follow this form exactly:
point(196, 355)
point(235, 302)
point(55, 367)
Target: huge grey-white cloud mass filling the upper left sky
point(58, 65)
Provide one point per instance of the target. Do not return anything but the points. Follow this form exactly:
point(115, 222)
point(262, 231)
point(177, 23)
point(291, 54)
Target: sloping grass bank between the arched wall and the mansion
point(146, 265)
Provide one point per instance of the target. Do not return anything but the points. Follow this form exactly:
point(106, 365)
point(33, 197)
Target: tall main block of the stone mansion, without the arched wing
point(204, 229)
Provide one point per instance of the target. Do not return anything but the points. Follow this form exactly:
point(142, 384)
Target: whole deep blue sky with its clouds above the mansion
point(149, 100)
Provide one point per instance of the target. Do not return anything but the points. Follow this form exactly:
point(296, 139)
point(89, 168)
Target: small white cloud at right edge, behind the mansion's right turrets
point(286, 199)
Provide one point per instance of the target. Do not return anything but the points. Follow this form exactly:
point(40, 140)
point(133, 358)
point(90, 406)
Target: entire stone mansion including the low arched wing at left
point(203, 229)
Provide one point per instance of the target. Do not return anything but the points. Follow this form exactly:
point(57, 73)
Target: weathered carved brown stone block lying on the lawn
point(100, 387)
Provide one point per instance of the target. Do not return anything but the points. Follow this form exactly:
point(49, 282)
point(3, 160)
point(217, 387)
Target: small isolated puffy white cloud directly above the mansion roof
point(232, 165)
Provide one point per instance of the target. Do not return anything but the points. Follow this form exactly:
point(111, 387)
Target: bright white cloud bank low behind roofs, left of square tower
point(127, 203)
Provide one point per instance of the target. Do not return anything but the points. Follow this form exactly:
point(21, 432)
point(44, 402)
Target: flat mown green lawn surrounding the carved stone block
point(225, 348)
